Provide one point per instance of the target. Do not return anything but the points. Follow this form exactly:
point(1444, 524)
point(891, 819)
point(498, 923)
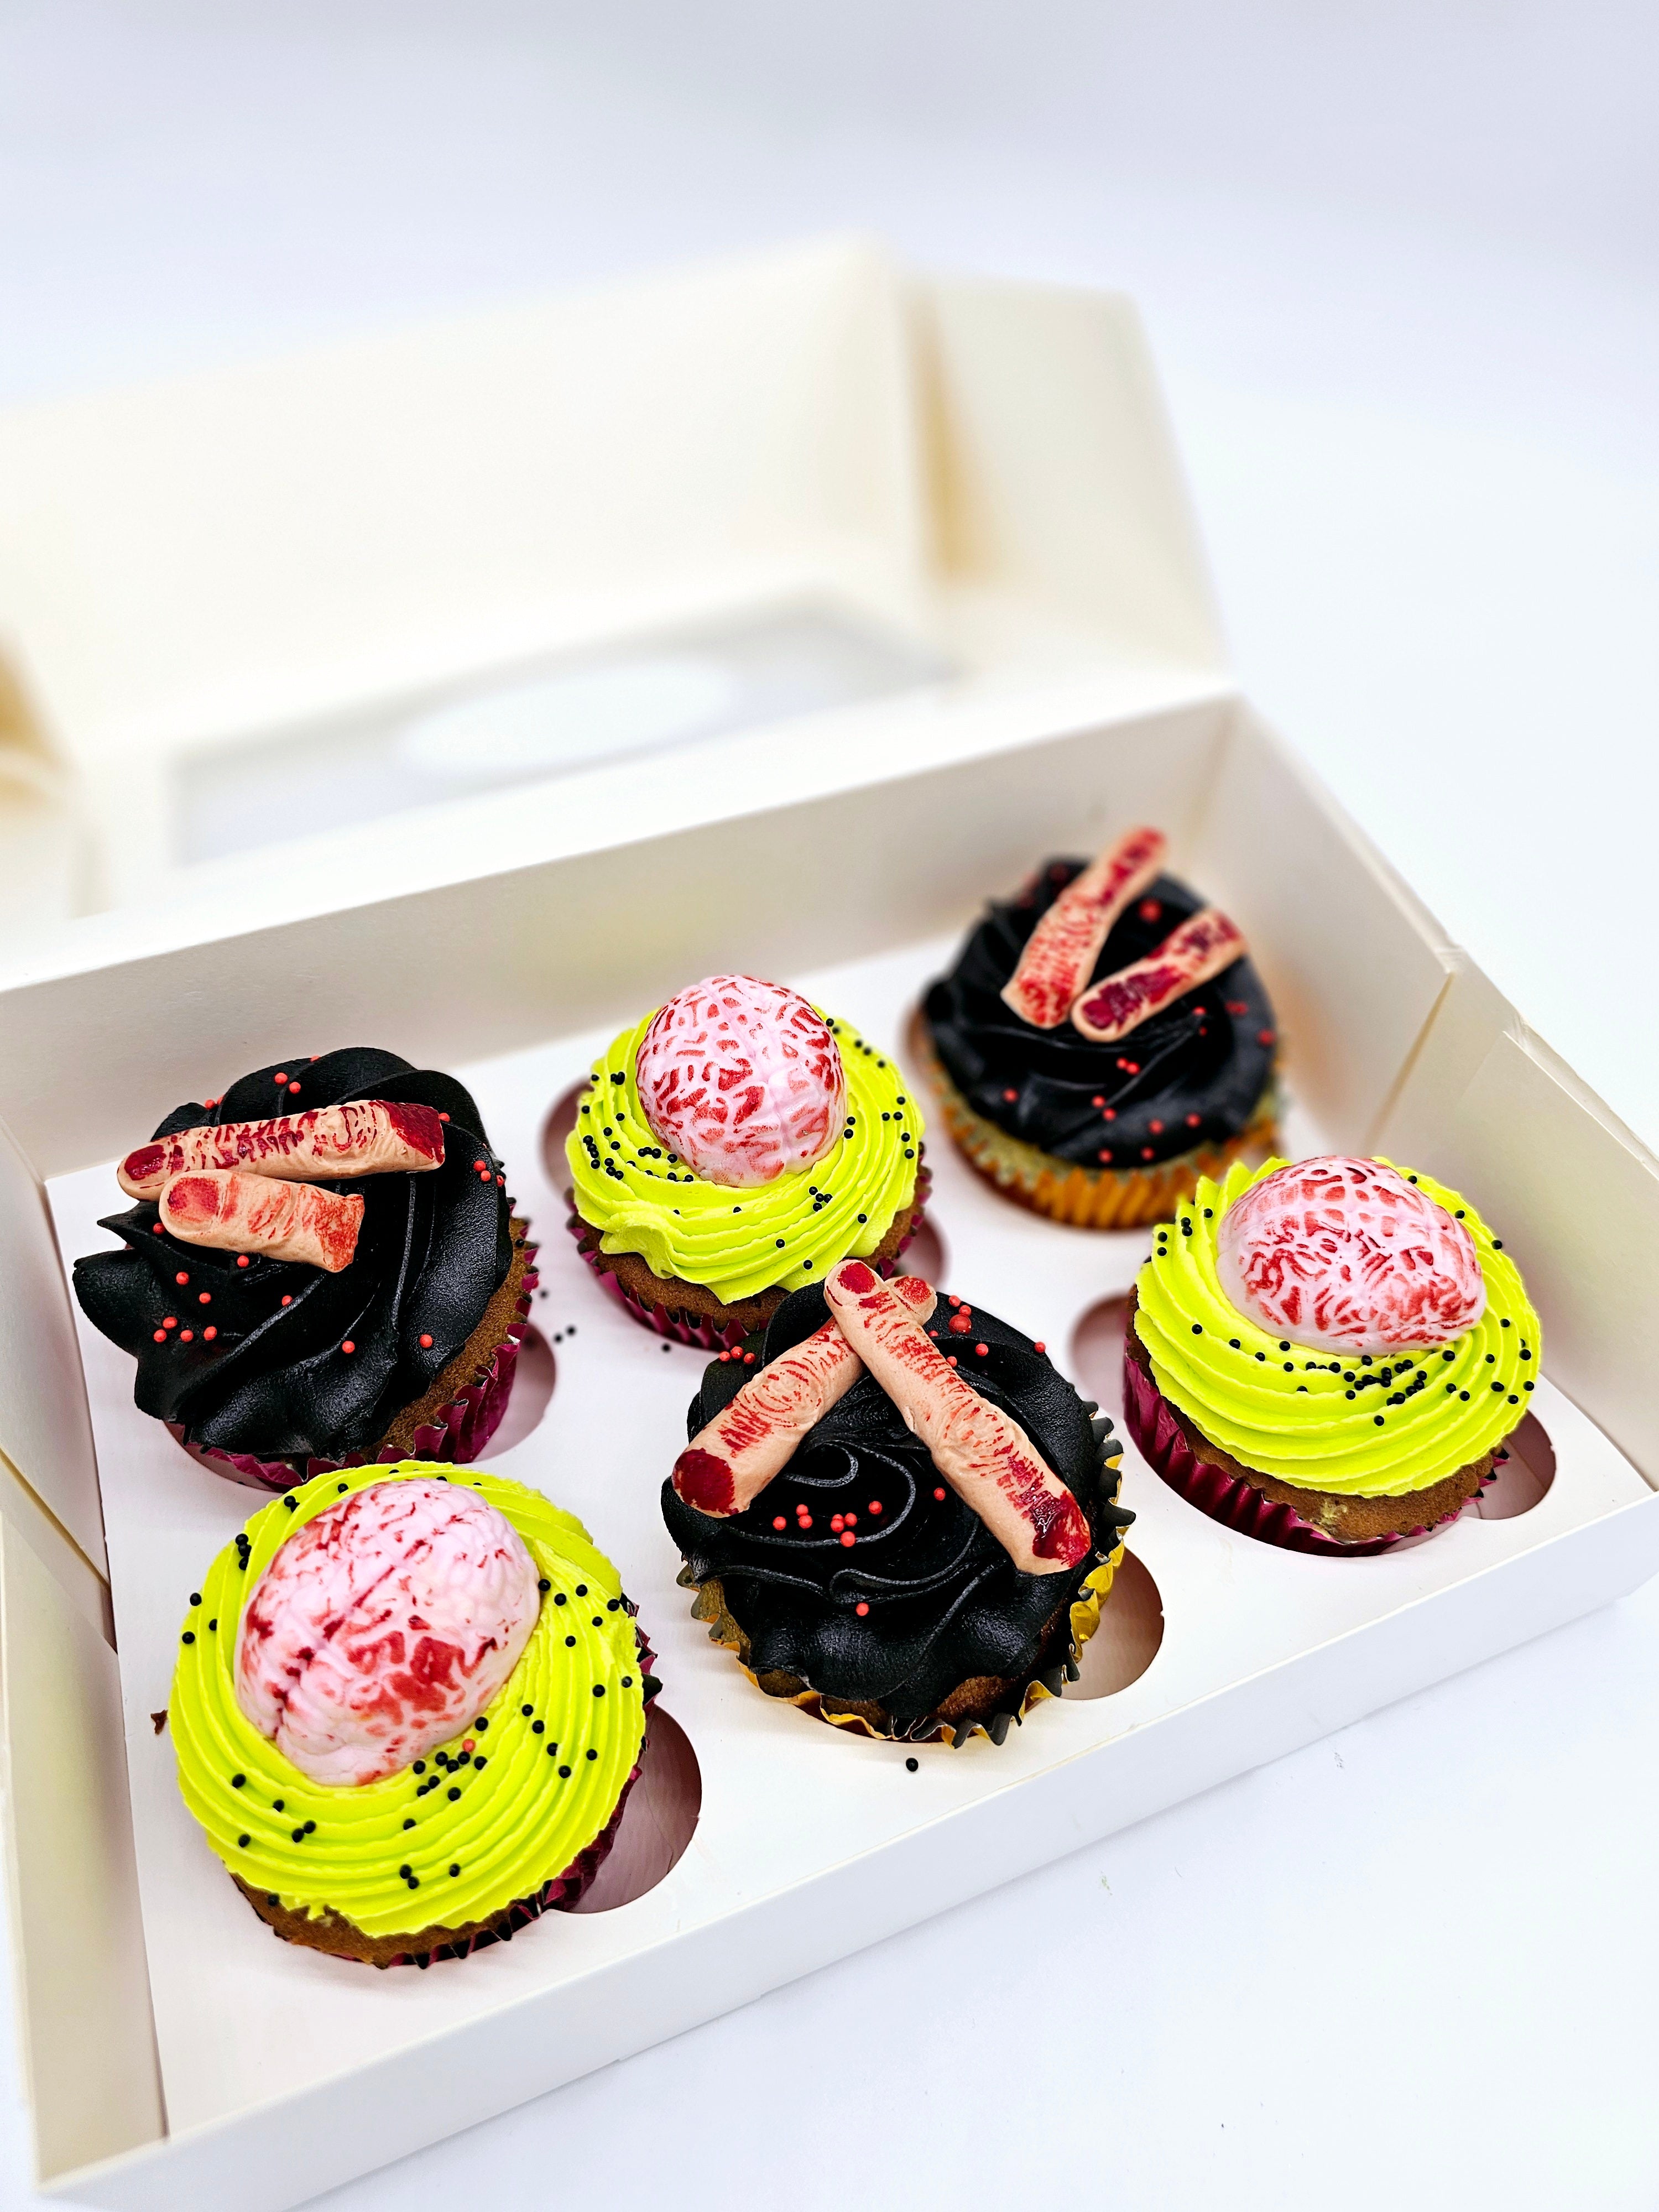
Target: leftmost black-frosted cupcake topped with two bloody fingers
point(322, 1269)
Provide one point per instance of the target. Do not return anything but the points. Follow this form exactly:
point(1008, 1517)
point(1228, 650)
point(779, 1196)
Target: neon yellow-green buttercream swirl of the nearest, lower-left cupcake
point(510, 1817)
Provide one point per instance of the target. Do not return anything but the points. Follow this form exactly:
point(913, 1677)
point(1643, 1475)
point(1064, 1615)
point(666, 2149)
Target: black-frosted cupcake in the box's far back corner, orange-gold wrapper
point(1103, 1043)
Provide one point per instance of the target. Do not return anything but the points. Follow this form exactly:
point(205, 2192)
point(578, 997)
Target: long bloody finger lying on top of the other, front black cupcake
point(983, 1454)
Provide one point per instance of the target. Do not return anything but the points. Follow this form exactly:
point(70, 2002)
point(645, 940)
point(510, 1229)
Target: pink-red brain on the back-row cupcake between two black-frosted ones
point(742, 1081)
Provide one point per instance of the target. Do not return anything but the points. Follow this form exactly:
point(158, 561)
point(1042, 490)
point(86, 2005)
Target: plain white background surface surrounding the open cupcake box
point(1401, 273)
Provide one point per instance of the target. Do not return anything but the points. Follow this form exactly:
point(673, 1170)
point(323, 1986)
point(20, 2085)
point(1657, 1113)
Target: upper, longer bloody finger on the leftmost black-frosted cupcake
point(317, 1147)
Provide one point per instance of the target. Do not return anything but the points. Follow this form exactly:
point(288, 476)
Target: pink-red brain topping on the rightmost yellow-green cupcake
point(1344, 1255)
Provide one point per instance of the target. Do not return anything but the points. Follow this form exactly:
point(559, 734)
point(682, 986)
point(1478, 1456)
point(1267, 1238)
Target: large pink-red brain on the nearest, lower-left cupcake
point(384, 1627)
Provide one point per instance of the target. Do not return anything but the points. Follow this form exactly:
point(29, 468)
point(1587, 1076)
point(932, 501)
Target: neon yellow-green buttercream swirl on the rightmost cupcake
point(1366, 1428)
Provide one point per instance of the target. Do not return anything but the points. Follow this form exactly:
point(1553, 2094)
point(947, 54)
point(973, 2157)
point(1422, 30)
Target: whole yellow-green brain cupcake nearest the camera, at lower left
point(408, 1711)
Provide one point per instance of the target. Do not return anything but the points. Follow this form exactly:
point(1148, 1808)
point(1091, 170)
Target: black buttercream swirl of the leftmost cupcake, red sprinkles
point(430, 1255)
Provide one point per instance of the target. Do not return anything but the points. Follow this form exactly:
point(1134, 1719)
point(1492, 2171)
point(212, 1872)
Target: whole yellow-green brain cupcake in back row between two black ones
point(731, 1149)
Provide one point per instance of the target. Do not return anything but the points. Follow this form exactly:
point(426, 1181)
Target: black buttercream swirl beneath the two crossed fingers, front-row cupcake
point(946, 1600)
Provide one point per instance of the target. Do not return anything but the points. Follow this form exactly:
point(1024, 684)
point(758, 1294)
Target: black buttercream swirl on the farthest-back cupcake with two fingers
point(1180, 1081)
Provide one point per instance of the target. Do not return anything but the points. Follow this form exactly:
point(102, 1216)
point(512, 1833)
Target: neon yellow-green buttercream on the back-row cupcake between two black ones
point(742, 1242)
